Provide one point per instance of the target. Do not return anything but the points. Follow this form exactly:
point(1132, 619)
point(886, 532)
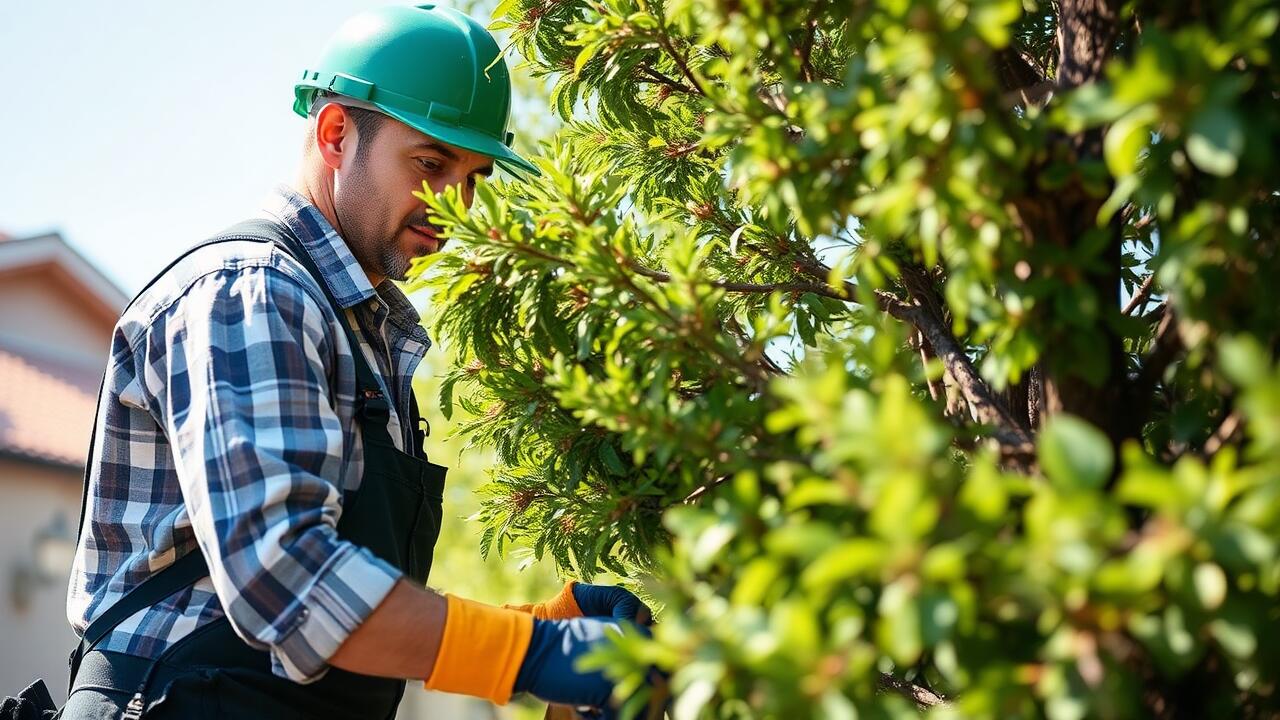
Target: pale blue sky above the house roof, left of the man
point(139, 127)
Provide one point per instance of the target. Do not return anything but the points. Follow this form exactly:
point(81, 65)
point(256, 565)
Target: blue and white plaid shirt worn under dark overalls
point(228, 422)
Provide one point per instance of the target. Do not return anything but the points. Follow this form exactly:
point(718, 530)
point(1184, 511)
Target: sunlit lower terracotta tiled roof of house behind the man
point(47, 408)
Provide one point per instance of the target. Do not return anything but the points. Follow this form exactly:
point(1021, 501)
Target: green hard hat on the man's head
point(432, 69)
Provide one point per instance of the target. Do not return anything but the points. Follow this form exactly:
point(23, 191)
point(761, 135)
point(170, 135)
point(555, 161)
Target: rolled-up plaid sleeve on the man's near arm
point(240, 370)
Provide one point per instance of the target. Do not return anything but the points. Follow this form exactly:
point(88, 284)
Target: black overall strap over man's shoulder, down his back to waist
point(193, 567)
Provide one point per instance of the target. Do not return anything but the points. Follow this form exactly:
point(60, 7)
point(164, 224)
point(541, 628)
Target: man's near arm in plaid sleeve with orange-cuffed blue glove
point(237, 376)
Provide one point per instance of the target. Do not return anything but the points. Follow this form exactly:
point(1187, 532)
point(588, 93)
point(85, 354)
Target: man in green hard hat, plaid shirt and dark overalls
point(259, 517)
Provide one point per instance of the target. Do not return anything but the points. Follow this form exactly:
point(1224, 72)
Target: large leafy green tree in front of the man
point(916, 354)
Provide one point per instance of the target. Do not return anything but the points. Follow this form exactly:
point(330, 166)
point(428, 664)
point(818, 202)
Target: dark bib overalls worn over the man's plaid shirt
point(213, 673)
